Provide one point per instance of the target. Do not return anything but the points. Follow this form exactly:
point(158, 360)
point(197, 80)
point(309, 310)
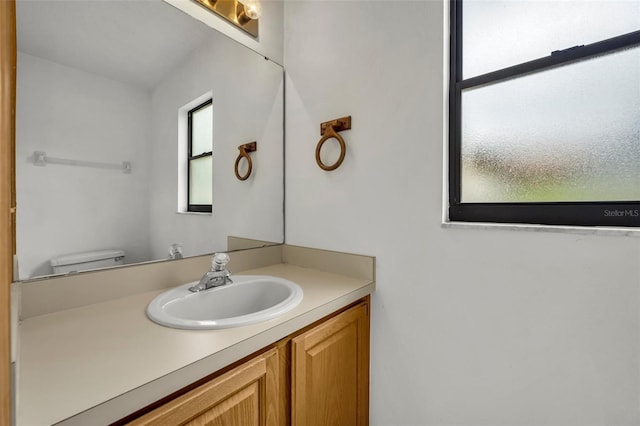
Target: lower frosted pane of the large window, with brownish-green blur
point(566, 134)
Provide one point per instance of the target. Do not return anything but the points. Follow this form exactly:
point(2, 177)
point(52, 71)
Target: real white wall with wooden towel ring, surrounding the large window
point(469, 327)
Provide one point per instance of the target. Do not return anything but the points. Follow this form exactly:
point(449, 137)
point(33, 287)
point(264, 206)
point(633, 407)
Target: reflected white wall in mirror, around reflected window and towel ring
point(247, 106)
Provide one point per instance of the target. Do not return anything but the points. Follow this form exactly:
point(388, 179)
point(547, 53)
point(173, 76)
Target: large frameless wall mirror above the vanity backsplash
point(110, 82)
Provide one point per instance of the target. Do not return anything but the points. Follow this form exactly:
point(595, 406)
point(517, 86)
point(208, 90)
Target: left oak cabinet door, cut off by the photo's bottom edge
point(245, 396)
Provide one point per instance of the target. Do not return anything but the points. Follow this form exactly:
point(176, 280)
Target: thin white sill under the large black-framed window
point(579, 230)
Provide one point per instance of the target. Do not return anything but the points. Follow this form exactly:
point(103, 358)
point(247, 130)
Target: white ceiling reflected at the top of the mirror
point(132, 41)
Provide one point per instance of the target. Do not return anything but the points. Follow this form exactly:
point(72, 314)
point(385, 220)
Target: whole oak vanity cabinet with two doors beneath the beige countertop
point(317, 376)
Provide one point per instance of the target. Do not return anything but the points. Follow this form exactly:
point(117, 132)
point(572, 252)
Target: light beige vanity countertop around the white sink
point(95, 364)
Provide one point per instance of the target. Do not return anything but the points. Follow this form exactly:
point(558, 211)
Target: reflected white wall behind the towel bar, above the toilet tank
point(64, 209)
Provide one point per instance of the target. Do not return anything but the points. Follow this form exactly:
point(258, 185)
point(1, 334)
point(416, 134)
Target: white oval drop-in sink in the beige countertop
point(248, 300)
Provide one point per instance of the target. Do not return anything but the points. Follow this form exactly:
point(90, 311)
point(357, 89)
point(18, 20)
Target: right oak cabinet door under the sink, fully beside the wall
point(330, 377)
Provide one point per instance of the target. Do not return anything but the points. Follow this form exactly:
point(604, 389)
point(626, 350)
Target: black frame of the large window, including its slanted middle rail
point(613, 213)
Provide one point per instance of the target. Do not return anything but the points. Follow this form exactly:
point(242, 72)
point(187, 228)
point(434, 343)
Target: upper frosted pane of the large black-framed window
point(500, 33)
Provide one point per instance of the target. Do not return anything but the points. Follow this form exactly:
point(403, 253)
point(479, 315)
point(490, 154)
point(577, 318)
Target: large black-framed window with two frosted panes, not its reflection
point(544, 111)
